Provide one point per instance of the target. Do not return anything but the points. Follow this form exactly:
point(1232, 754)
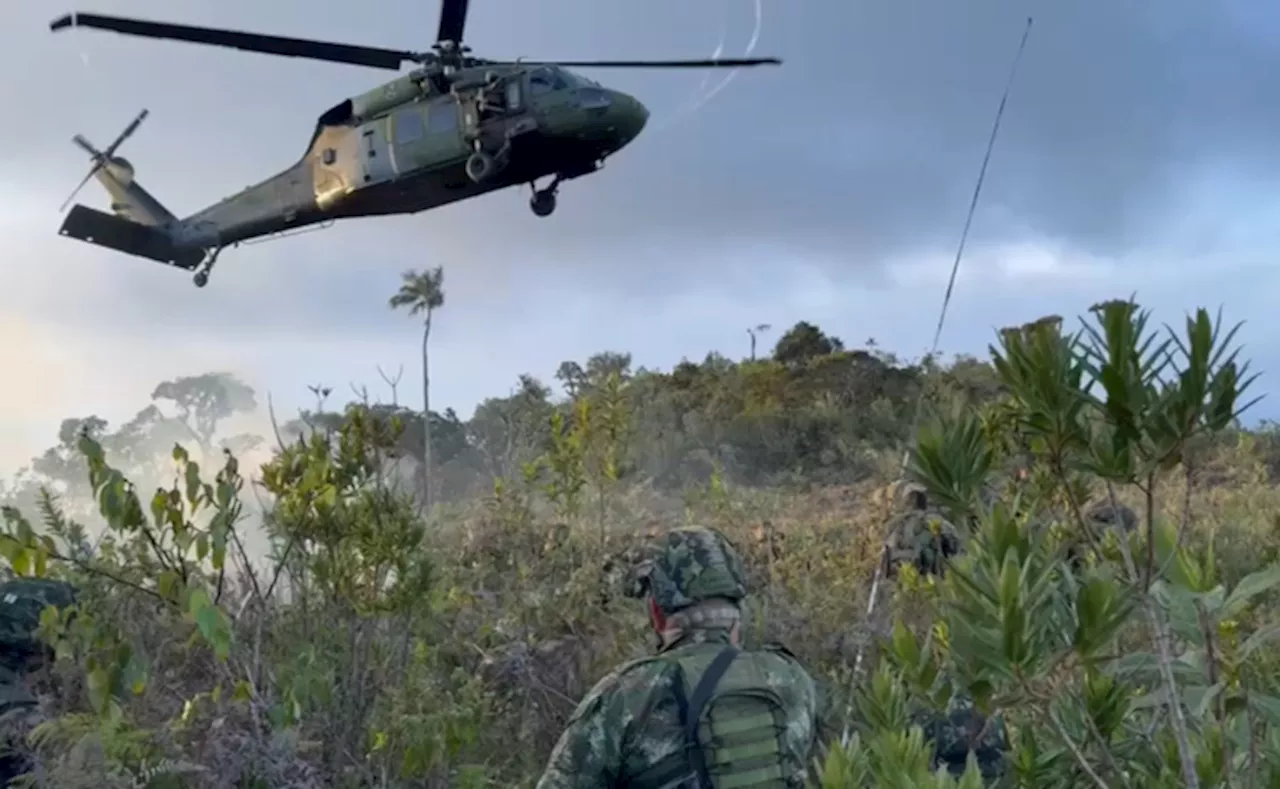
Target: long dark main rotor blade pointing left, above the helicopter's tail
point(254, 43)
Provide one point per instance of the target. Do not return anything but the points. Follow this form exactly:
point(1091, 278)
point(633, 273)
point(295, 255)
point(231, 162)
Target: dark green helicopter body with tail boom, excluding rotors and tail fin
point(405, 148)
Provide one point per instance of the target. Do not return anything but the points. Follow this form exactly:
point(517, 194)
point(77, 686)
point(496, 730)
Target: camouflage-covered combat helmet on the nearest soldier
point(688, 567)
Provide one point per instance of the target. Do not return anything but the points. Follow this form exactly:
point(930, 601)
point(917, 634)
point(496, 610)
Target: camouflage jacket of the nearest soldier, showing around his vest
point(629, 720)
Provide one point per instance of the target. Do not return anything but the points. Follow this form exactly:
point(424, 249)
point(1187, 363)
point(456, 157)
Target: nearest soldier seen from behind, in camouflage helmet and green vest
point(702, 713)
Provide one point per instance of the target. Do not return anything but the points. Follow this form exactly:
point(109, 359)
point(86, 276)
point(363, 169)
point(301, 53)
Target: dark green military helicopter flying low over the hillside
point(452, 129)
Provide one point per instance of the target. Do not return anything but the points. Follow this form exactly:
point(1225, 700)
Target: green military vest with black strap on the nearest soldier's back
point(733, 720)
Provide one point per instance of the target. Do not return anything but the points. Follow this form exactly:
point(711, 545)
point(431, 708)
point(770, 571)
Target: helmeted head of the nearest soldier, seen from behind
point(693, 580)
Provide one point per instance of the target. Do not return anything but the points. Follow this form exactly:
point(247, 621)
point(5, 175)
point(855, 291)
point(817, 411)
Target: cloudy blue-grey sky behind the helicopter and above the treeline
point(1136, 157)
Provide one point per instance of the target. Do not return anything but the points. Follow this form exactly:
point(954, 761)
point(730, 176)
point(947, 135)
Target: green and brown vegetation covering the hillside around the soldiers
point(374, 641)
